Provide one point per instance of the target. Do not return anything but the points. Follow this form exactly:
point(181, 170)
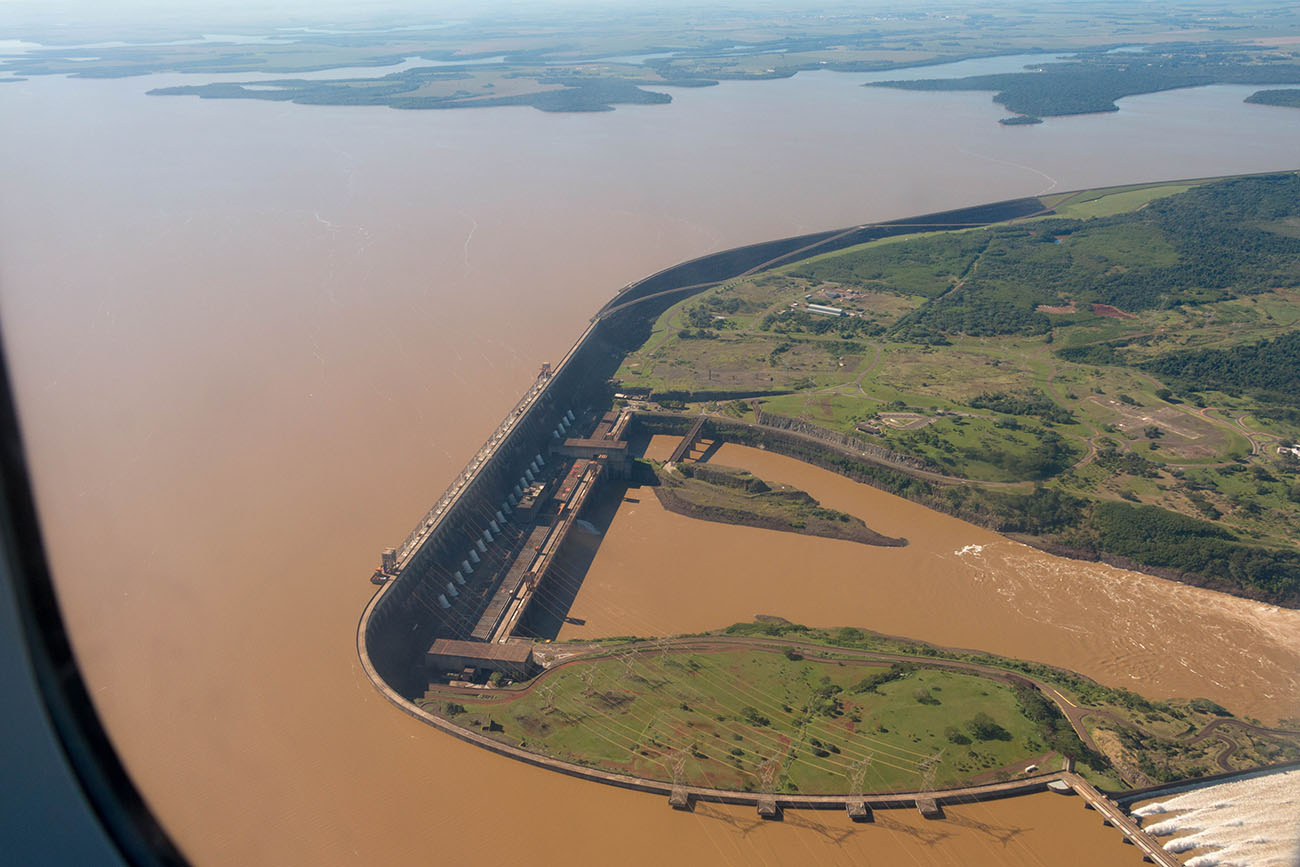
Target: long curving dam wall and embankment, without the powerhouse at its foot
point(437, 583)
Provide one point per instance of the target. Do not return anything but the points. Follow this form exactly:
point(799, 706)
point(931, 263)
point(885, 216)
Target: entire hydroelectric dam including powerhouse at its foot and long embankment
point(456, 593)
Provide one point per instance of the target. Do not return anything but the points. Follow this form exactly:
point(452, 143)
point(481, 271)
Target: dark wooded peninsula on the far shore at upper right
point(1093, 83)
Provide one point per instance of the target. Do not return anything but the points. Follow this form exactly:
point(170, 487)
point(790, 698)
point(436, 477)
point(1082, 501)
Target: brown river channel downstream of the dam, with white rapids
point(955, 584)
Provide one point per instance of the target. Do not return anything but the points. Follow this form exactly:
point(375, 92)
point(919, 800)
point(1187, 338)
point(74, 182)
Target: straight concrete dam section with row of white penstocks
point(470, 534)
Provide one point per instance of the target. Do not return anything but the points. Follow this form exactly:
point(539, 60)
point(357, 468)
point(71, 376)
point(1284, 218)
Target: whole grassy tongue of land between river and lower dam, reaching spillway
point(829, 709)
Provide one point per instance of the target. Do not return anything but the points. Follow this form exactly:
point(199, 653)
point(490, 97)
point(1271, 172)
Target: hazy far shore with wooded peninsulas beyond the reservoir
point(566, 62)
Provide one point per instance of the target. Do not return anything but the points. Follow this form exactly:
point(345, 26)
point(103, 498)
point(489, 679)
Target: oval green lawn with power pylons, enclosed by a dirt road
point(733, 716)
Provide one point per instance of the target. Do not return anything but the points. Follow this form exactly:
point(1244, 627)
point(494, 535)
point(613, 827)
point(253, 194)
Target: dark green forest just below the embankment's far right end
point(1204, 246)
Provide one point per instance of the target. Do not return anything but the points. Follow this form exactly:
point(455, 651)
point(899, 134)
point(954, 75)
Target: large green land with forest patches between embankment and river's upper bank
point(1113, 379)
